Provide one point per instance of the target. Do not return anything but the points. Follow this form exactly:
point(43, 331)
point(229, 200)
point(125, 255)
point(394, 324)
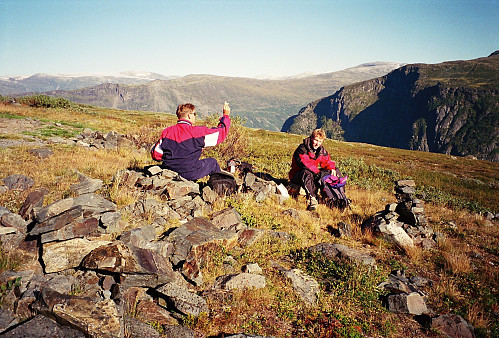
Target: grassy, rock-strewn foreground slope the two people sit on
point(98, 241)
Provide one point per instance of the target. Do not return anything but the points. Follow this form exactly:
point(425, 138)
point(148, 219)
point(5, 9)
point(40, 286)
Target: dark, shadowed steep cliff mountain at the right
point(449, 108)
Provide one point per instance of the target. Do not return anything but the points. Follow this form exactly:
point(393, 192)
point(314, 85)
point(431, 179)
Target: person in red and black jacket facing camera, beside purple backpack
point(308, 160)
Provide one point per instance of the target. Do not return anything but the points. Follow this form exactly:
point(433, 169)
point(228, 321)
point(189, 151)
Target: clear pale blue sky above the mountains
point(238, 38)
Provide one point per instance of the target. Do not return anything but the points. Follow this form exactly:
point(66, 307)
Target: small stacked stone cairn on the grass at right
point(403, 223)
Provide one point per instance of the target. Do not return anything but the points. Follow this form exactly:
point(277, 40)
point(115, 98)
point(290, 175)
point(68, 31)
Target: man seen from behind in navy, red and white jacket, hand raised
point(181, 144)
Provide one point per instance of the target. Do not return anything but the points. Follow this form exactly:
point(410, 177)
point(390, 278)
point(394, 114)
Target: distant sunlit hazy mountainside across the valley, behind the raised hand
point(263, 103)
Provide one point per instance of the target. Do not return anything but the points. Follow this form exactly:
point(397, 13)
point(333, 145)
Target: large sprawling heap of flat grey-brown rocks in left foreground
point(89, 270)
